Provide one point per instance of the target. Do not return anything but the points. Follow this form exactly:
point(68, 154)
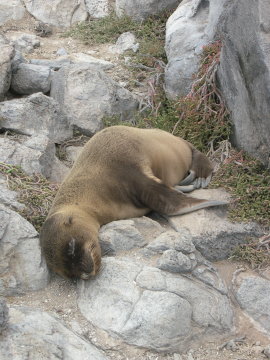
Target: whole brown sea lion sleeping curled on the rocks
point(122, 172)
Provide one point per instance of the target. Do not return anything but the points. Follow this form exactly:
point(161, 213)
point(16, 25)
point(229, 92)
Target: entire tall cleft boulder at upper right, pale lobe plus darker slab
point(244, 73)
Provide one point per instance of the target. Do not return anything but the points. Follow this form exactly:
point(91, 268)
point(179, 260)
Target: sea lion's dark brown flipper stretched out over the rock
point(166, 200)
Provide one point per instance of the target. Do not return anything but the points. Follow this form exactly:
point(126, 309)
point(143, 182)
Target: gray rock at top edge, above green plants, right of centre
point(141, 9)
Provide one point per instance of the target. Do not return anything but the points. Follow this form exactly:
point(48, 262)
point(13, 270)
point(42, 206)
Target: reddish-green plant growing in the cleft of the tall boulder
point(204, 119)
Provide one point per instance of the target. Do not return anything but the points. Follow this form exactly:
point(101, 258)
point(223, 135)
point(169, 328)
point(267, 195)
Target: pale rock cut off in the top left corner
point(11, 11)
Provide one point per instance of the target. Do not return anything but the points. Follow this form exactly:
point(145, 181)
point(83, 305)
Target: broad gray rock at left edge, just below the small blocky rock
point(35, 115)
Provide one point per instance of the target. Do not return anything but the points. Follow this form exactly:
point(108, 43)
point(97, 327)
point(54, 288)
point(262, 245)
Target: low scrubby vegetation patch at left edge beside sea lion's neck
point(35, 192)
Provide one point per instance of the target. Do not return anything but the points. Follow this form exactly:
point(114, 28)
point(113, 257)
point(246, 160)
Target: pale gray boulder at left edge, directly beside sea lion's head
point(19, 244)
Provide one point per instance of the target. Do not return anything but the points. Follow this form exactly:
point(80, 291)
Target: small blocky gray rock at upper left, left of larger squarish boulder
point(29, 79)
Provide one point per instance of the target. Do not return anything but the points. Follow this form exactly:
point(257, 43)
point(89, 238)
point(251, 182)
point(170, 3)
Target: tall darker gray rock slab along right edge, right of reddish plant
point(244, 74)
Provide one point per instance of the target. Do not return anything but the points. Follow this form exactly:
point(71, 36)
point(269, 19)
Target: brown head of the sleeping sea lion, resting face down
point(70, 245)
